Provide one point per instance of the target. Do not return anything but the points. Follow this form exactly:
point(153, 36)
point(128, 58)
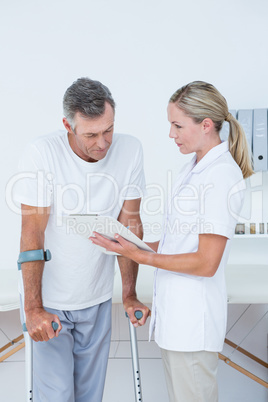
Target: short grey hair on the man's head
point(87, 97)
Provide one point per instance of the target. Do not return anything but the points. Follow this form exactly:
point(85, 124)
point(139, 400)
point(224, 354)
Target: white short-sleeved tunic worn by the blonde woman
point(189, 312)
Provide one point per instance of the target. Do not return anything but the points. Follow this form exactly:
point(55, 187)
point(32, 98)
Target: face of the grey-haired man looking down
point(91, 138)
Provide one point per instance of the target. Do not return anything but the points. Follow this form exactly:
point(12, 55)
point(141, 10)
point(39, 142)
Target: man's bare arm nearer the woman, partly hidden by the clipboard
point(130, 217)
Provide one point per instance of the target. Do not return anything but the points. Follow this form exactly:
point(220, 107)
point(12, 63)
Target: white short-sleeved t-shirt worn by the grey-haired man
point(79, 274)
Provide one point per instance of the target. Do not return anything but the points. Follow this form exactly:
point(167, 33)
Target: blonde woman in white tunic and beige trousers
point(189, 310)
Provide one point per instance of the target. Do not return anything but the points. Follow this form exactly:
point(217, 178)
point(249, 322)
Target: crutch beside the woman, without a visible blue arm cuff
point(135, 358)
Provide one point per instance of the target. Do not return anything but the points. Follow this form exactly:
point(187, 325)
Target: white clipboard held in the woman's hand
point(85, 225)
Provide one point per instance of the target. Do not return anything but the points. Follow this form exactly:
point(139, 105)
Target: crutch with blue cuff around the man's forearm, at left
point(27, 256)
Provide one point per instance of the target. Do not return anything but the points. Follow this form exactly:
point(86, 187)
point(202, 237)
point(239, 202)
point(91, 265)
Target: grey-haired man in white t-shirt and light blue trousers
point(85, 169)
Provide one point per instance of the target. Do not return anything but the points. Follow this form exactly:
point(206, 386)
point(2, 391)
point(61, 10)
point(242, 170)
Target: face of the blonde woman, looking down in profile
point(187, 134)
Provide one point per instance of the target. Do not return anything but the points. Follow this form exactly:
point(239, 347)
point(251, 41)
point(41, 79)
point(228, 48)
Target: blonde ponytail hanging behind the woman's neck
point(238, 146)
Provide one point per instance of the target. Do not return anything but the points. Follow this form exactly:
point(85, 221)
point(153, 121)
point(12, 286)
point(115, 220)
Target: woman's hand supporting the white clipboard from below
point(120, 246)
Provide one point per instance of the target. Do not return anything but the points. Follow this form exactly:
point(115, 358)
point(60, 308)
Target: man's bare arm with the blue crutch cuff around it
point(38, 321)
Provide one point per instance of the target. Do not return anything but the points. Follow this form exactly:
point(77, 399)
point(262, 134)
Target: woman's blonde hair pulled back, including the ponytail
point(200, 100)
